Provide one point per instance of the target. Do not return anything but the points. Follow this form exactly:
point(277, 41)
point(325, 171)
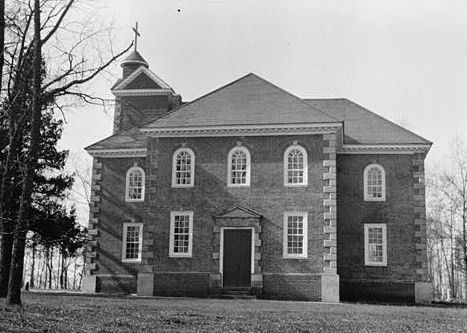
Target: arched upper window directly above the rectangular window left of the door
point(183, 168)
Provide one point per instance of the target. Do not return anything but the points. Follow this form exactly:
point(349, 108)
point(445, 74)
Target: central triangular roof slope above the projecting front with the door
point(248, 100)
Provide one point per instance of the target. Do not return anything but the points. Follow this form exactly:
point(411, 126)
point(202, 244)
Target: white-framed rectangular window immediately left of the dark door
point(181, 234)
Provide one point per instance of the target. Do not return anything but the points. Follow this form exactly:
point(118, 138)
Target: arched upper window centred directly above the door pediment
point(239, 167)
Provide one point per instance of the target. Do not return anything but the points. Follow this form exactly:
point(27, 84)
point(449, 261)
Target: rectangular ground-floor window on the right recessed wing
point(375, 245)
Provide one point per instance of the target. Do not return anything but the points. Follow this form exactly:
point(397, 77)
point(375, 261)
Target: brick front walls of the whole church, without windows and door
point(283, 278)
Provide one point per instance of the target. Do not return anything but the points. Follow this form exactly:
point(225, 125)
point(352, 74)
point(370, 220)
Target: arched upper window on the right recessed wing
point(374, 183)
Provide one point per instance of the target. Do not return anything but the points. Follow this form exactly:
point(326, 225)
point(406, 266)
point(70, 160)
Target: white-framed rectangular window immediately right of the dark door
point(295, 235)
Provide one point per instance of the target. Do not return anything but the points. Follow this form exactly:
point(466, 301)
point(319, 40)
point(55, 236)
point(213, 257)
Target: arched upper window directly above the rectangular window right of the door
point(295, 166)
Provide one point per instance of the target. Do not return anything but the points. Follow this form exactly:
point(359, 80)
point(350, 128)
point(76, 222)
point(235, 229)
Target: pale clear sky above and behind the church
point(405, 60)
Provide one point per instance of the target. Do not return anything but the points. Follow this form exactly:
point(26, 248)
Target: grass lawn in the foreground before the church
point(68, 313)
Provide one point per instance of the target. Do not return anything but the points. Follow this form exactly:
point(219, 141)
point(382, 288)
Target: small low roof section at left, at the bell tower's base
point(129, 139)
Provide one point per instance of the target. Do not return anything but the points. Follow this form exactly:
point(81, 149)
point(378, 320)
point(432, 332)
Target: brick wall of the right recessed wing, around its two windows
point(398, 214)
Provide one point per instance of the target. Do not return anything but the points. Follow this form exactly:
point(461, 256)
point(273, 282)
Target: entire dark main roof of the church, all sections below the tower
point(253, 100)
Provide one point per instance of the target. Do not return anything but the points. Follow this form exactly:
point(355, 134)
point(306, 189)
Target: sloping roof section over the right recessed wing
point(362, 126)
